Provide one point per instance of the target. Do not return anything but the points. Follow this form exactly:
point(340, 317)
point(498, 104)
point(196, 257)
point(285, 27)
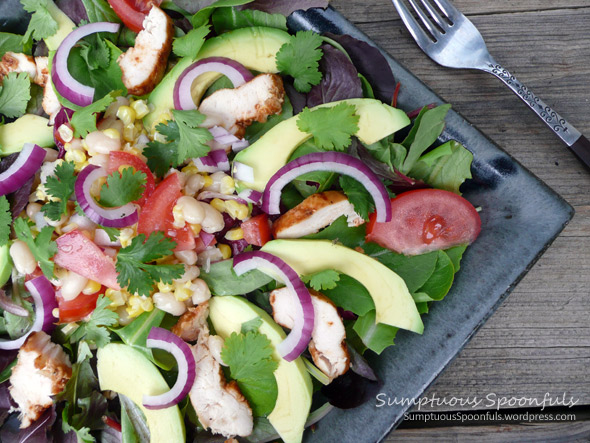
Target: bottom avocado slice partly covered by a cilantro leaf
point(295, 389)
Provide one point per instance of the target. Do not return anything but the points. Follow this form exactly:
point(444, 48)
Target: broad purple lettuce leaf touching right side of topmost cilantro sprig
point(340, 79)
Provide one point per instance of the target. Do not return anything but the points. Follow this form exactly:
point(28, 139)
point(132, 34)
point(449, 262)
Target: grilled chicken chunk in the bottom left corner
point(42, 370)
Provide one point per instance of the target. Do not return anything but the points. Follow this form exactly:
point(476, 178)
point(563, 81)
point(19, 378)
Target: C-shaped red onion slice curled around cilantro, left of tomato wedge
point(121, 217)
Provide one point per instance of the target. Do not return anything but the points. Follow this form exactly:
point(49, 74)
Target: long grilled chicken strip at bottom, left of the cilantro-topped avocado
point(219, 405)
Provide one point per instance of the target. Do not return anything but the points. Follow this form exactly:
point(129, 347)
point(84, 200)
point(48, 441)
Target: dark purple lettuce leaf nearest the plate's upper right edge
point(371, 63)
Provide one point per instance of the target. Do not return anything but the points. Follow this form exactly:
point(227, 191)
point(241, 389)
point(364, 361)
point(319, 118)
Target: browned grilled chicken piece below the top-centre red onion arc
point(235, 109)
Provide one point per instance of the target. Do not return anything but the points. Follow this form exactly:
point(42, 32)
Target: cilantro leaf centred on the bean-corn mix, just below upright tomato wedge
point(136, 272)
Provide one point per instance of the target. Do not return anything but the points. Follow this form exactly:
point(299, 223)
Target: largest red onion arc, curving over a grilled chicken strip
point(327, 161)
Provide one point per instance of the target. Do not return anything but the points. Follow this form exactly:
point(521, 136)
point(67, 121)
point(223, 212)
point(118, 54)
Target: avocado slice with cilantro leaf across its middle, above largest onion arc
point(273, 150)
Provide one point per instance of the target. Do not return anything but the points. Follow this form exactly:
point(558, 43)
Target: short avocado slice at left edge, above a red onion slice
point(29, 128)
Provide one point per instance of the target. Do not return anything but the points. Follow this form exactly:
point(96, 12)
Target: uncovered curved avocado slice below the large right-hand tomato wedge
point(393, 303)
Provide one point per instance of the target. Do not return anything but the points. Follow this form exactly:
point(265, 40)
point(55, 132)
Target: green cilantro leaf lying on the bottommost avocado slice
point(249, 357)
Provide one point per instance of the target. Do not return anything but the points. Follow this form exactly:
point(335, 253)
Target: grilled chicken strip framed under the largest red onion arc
point(314, 213)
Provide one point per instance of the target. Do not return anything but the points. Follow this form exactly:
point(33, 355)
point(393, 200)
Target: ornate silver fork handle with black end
point(577, 143)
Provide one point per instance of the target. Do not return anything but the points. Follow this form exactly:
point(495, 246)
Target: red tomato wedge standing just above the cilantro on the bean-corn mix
point(156, 214)
